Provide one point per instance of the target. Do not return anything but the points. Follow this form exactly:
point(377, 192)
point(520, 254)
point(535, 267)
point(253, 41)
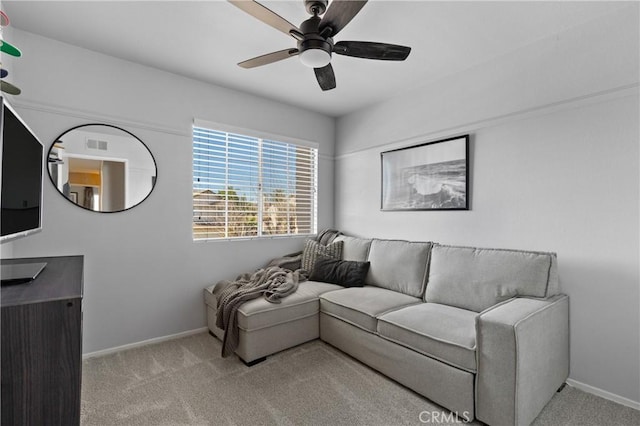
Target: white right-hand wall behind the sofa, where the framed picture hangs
point(554, 166)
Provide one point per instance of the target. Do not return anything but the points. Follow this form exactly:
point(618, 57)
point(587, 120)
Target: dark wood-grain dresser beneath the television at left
point(42, 345)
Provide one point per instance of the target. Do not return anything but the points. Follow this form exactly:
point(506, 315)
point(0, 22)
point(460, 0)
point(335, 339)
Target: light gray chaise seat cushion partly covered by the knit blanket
point(258, 313)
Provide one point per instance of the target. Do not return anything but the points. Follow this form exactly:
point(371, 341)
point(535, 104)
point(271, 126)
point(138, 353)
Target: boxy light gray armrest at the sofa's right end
point(522, 358)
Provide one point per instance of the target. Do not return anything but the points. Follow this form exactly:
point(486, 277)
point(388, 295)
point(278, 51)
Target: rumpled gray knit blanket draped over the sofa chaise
point(273, 283)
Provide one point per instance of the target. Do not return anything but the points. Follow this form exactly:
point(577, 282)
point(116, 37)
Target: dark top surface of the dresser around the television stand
point(62, 278)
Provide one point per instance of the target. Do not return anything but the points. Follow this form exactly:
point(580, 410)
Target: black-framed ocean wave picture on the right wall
point(429, 176)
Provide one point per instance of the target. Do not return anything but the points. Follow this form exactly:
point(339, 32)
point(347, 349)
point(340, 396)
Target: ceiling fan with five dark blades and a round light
point(315, 37)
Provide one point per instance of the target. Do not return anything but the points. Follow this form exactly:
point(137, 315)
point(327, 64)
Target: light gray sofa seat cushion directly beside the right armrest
point(439, 331)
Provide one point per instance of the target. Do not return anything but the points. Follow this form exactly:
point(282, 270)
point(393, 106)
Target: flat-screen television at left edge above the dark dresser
point(21, 184)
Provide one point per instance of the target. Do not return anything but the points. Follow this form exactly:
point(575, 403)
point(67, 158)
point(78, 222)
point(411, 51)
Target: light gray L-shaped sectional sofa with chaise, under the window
point(482, 332)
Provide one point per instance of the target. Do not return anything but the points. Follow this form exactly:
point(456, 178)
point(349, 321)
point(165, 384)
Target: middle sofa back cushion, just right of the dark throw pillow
point(398, 265)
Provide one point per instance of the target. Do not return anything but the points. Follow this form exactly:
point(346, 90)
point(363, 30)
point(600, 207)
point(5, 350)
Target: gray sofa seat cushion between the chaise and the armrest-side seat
point(361, 306)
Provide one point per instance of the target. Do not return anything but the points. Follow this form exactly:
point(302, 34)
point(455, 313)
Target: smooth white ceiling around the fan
point(204, 40)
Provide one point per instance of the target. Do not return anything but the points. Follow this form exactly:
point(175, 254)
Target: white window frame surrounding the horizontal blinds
point(251, 133)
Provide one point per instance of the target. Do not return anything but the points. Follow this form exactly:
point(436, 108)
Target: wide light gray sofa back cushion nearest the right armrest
point(477, 278)
